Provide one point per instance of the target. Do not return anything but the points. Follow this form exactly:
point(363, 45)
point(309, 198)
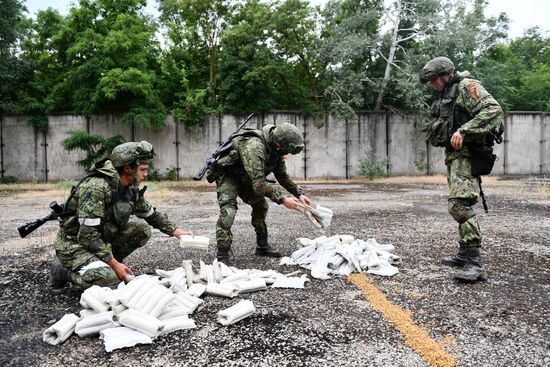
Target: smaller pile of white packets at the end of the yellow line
point(343, 255)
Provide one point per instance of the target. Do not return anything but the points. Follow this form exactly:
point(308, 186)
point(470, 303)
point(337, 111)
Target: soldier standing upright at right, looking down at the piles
point(466, 116)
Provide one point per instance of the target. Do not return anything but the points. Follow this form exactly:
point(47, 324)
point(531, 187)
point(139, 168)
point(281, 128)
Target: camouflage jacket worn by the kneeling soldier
point(98, 201)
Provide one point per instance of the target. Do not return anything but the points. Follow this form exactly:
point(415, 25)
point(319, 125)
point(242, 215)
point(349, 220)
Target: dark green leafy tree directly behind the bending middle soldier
point(266, 61)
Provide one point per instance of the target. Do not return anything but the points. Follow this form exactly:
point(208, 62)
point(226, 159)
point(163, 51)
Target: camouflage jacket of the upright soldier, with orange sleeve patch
point(475, 109)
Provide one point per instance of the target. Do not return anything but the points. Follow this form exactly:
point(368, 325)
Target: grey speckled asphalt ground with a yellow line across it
point(420, 317)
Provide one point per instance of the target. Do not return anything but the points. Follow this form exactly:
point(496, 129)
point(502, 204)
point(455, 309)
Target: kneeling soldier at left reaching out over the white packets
point(91, 244)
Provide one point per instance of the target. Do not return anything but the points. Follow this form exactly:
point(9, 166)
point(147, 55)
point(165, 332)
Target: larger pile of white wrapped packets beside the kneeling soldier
point(149, 306)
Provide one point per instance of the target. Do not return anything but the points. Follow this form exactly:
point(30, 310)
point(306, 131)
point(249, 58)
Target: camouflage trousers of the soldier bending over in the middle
point(228, 188)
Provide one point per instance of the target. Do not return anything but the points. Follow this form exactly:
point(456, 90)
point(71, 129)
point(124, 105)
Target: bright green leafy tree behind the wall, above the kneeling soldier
point(110, 58)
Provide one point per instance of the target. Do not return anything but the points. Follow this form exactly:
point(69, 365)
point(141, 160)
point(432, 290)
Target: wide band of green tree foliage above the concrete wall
point(200, 57)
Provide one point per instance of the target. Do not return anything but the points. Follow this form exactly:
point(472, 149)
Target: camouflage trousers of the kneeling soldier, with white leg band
point(86, 269)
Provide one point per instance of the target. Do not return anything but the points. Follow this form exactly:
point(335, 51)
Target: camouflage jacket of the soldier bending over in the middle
point(259, 158)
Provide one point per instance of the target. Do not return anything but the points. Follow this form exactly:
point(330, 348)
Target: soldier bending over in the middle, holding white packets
point(242, 172)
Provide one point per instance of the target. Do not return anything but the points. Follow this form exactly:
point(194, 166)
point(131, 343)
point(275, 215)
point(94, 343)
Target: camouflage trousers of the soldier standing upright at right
point(463, 194)
